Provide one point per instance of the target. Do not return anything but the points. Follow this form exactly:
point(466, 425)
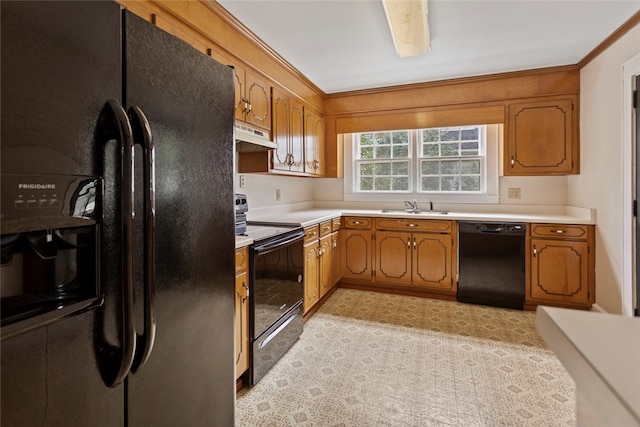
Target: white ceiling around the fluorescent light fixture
point(343, 45)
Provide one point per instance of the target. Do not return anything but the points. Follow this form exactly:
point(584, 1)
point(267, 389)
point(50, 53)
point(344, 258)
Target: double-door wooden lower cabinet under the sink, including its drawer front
point(424, 259)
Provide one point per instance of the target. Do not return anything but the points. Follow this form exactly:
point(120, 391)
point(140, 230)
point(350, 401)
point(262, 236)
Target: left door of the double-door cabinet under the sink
point(393, 257)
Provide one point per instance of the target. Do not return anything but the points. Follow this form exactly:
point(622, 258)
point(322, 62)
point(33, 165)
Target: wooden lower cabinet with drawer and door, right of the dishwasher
point(561, 265)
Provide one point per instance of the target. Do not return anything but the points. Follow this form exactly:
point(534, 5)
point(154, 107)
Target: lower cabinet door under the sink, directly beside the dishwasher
point(432, 260)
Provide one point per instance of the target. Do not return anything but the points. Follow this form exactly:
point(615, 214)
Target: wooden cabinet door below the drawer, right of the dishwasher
point(559, 271)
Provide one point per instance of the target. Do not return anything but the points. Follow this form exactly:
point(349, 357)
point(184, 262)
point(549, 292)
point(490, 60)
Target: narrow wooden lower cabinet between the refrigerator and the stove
point(242, 312)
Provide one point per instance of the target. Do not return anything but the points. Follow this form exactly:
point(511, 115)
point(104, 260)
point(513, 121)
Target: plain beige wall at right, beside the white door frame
point(599, 186)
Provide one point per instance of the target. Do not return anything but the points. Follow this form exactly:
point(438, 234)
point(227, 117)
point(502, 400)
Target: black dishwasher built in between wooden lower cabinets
point(492, 263)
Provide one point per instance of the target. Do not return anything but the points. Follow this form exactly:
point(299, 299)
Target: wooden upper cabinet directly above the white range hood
point(252, 98)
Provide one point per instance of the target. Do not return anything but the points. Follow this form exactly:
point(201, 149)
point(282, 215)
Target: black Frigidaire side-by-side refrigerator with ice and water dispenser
point(90, 90)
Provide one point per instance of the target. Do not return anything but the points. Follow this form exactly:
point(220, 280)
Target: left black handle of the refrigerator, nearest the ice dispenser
point(122, 133)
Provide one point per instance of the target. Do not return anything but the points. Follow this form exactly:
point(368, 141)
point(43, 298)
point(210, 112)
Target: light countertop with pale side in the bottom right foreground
point(601, 352)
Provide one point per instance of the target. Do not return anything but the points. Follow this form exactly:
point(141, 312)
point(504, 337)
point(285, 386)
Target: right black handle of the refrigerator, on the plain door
point(142, 135)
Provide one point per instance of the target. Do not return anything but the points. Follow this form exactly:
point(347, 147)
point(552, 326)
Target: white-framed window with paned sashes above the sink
point(453, 164)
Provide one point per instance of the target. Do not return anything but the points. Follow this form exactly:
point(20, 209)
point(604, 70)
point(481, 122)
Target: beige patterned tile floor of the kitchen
point(374, 359)
